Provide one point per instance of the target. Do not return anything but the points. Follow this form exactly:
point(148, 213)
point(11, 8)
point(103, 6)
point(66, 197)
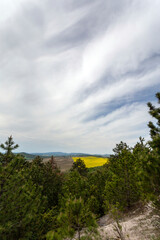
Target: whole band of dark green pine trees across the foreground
point(38, 201)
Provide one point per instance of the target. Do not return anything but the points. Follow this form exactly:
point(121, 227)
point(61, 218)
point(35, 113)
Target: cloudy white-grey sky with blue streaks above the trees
point(75, 76)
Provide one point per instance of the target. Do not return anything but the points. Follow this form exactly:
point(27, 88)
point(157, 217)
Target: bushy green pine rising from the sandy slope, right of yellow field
point(121, 185)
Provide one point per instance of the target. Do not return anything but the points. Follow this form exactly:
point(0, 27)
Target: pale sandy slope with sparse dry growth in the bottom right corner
point(141, 224)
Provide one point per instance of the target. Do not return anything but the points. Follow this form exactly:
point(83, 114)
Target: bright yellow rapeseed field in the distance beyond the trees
point(91, 161)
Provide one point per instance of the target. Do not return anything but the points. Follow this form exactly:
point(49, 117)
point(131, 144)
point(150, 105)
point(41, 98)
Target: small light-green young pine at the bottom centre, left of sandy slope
point(74, 218)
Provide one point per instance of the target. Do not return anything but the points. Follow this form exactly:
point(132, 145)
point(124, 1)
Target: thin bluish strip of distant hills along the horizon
point(30, 156)
